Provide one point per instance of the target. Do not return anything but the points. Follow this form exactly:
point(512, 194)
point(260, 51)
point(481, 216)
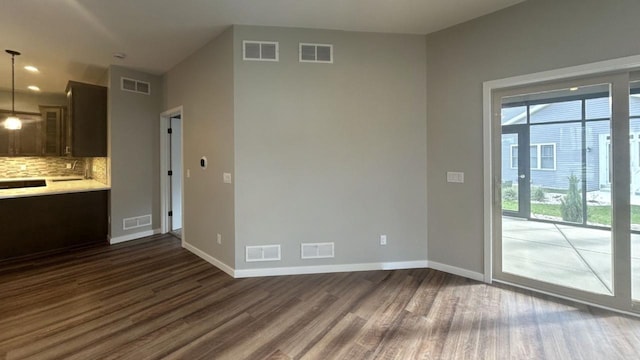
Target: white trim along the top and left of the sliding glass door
point(489, 187)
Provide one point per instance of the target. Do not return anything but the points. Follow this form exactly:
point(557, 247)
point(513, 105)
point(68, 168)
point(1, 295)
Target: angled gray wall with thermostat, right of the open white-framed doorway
point(203, 85)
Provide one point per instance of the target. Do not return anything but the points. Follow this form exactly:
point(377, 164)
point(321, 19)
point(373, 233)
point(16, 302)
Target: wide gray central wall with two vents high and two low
point(331, 152)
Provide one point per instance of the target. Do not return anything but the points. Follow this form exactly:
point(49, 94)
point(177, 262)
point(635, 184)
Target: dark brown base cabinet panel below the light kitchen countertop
point(48, 223)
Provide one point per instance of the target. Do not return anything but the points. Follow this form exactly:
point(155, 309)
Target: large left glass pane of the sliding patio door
point(563, 235)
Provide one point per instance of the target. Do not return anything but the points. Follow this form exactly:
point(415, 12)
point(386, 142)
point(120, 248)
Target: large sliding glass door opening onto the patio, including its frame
point(564, 182)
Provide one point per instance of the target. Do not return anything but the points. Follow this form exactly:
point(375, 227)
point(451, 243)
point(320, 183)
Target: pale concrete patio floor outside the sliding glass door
point(571, 256)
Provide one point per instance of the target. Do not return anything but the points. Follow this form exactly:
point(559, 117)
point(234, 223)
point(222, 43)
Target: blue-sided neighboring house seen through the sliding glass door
point(557, 145)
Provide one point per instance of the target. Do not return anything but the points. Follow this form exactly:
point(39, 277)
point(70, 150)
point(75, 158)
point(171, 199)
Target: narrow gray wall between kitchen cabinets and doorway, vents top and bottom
point(134, 130)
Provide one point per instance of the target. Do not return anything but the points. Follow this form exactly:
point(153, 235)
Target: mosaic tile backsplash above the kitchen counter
point(26, 167)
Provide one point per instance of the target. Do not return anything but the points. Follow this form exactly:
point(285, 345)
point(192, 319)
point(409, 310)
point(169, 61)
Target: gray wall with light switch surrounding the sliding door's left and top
point(530, 37)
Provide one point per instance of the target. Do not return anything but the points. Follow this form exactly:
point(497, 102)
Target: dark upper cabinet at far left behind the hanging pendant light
point(24, 142)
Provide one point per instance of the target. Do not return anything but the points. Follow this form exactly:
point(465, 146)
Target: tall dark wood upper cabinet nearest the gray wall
point(86, 130)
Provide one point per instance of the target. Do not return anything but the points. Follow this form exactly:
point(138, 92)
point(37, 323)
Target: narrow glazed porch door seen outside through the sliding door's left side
point(515, 171)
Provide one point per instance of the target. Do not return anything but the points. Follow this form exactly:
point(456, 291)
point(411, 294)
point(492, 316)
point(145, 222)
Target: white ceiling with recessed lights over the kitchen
point(75, 39)
